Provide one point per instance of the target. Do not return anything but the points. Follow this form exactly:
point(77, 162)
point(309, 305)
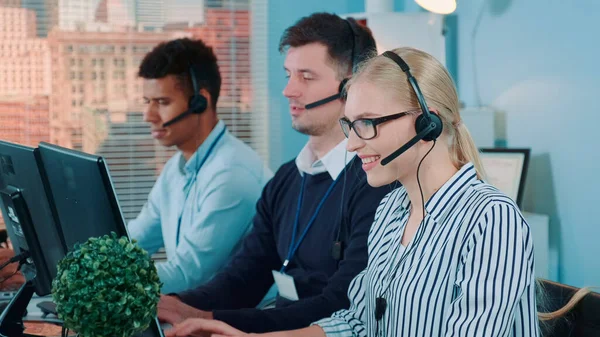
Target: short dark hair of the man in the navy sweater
point(336, 34)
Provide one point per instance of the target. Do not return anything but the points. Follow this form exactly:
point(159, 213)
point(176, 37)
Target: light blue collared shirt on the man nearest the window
point(200, 210)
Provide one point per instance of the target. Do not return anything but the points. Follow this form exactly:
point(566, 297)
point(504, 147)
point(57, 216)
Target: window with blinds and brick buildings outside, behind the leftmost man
point(134, 158)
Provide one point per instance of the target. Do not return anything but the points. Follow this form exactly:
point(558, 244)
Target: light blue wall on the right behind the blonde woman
point(536, 61)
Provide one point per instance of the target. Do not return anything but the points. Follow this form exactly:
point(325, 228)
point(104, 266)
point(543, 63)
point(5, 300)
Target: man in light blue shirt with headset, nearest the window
point(204, 200)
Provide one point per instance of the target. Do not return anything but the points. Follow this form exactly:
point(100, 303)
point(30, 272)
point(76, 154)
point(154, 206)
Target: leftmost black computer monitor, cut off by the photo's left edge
point(29, 214)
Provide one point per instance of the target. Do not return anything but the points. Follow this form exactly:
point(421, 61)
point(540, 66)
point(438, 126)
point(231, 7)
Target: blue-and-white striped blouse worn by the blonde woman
point(468, 271)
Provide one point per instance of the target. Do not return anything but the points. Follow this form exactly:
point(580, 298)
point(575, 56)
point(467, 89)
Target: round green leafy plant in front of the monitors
point(107, 286)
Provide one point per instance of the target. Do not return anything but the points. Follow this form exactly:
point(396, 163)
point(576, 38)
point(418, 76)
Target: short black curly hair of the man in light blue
point(175, 57)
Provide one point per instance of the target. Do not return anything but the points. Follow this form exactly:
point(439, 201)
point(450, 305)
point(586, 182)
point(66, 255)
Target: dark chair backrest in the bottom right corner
point(582, 321)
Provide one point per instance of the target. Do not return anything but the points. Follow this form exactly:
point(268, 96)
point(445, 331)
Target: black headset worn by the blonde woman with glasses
point(428, 125)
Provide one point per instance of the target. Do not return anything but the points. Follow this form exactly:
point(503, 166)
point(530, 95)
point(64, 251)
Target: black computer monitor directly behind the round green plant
point(85, 199)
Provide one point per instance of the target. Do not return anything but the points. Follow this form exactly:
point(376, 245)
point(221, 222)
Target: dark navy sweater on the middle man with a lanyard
point(321, 281)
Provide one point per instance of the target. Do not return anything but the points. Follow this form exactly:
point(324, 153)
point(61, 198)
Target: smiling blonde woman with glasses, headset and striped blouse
point(449, 255)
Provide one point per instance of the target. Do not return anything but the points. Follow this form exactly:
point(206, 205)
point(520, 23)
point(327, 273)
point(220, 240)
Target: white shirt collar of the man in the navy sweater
point(332, 162)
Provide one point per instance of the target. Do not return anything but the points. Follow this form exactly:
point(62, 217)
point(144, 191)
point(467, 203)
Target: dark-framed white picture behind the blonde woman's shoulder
point(506, 169)
